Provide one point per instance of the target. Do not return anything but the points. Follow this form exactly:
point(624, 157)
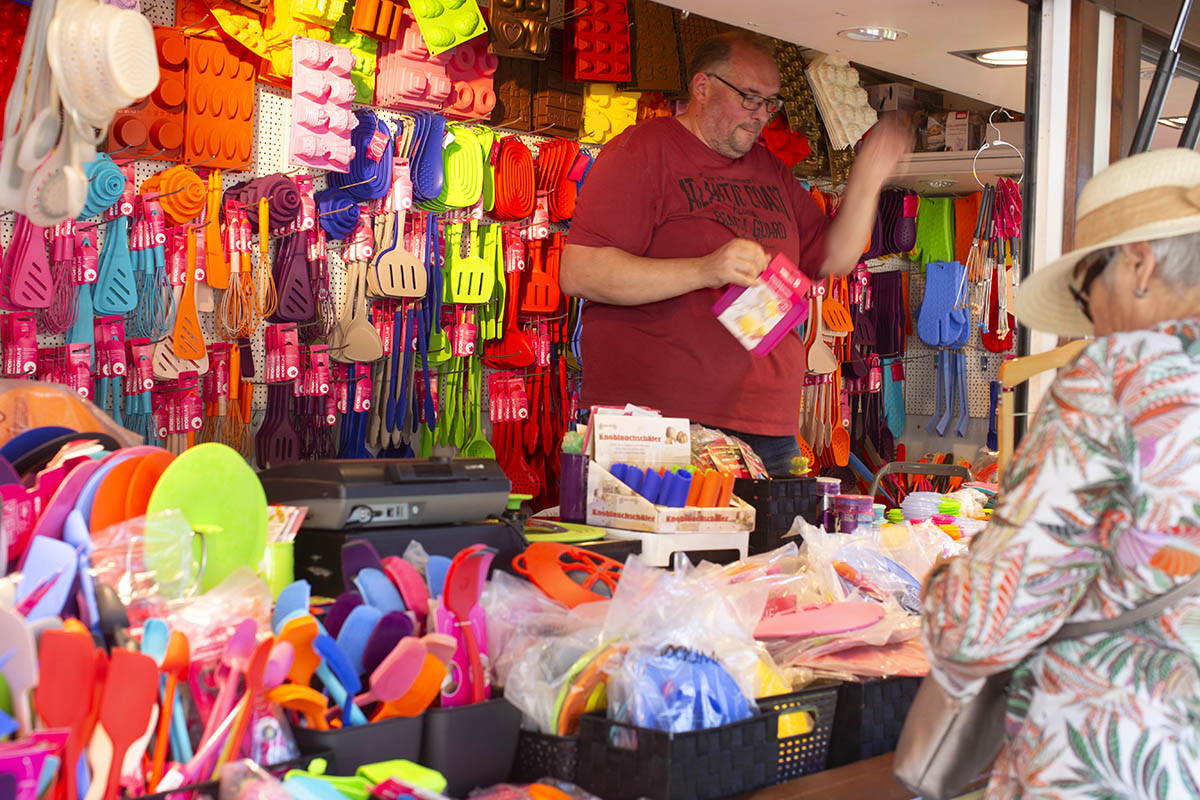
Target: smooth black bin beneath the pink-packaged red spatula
point(473, 747)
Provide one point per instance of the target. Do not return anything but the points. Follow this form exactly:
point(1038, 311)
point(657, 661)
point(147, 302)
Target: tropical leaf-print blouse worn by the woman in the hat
point(1100, 513)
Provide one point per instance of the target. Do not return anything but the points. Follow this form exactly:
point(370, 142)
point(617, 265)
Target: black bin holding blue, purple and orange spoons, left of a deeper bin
point(364, 744)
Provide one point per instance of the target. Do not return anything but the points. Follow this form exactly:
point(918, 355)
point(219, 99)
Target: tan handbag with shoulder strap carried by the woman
point(950, 742)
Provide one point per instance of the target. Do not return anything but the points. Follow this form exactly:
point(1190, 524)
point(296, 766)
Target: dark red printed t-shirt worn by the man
point(657, 191)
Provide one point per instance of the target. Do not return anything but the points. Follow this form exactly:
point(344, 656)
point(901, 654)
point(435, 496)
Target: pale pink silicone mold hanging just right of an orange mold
point(322, 92)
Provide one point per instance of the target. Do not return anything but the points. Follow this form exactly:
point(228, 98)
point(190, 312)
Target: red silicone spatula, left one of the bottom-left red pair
point(64, 693)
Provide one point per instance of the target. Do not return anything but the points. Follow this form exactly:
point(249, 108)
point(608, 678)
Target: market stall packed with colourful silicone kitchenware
point(299, 492)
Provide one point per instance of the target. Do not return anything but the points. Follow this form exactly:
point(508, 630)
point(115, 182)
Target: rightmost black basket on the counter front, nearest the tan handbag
point(869, 719)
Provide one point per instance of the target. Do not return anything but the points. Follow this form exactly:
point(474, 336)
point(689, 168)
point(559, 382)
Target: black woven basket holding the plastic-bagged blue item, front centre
point(623, 762)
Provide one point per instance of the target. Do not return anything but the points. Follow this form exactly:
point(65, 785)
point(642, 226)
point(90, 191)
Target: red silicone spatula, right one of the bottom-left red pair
point(131, 691)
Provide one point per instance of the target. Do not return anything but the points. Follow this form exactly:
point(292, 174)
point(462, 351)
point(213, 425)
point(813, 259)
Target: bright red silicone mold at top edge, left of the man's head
point(598, 41)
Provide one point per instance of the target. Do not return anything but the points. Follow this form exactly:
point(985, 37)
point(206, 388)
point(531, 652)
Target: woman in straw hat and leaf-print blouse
point(1100, 513)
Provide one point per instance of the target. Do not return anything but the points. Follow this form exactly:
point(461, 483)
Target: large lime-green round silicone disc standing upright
point(221, 498)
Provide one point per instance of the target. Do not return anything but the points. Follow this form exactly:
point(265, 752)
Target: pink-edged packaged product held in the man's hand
point(761, 316)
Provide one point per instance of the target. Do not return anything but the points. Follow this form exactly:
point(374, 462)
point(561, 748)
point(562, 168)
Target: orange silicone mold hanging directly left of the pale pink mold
point(219, 122)
